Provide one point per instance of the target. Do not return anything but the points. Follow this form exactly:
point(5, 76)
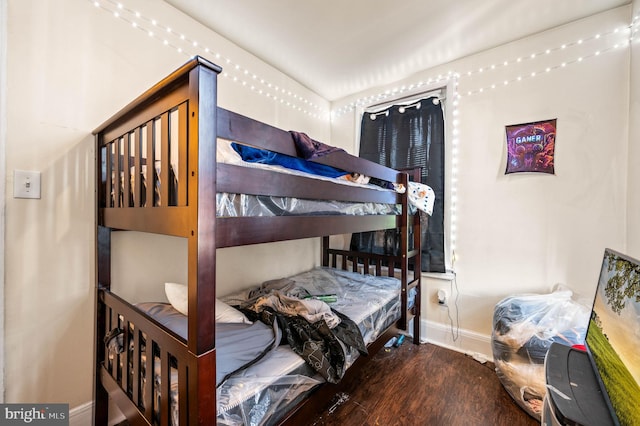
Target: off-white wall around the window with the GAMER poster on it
point(527, 232)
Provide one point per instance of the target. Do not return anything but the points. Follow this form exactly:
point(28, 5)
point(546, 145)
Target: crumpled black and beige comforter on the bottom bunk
point(320, 335)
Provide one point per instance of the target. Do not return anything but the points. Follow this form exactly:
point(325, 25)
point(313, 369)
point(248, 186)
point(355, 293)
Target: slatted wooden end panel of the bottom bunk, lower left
point(146, 349)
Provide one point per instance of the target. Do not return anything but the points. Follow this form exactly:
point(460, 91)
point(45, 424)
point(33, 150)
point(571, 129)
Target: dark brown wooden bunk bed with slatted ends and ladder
point(157, 173)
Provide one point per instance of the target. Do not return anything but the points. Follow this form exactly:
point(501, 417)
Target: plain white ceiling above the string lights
point(340, 47)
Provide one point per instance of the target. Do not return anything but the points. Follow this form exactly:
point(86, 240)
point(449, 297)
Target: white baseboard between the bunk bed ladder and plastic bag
point(468, 342)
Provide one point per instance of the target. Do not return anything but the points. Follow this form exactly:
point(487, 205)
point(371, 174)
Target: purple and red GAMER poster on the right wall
point(530, 147)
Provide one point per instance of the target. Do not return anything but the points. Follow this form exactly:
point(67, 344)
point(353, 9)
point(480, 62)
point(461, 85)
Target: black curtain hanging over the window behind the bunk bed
point(404, 137)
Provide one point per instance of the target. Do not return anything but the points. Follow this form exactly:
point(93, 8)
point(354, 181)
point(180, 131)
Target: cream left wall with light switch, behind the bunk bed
point(71, 65)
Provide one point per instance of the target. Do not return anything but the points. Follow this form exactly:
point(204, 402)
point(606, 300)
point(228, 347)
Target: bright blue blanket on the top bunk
point(255, 155)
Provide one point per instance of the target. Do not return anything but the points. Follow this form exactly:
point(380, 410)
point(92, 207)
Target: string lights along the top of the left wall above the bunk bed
point(183, 44)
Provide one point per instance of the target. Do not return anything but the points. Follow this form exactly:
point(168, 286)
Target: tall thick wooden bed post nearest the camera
point(202, 135)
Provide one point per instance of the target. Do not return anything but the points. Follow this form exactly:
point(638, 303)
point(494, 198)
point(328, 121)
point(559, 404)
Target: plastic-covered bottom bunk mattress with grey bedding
point(266, 379)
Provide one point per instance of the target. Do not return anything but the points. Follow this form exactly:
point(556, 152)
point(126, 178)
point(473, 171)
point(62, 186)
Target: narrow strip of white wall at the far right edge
point(633, 194)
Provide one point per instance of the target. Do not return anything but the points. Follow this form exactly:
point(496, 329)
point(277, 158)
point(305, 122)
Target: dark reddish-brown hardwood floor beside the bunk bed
point(425, 385)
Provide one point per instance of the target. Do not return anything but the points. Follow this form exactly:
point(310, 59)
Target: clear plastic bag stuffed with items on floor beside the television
point(524, 327)
